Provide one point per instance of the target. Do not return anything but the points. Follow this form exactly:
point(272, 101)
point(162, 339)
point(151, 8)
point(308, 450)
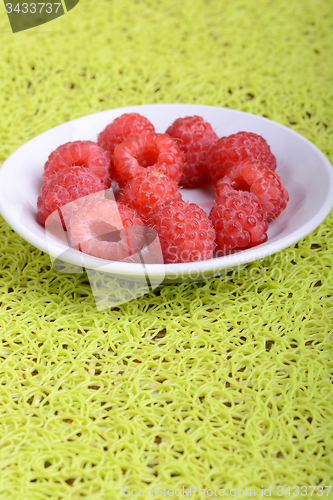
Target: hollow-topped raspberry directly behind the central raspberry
point(155, 151)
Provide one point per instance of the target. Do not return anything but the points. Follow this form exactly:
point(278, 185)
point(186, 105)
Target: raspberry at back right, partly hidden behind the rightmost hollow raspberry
point(242, 146)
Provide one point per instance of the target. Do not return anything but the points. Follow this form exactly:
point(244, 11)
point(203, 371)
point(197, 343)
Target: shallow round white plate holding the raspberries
point(305, 171)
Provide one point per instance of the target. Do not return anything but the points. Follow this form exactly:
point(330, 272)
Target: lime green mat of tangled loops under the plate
point(219, 384)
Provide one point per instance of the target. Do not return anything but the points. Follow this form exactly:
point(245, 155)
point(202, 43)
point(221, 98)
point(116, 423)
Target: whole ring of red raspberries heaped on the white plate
point(146, 171)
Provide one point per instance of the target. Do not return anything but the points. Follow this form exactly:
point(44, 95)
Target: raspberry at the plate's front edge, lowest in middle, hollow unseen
point(185, 232)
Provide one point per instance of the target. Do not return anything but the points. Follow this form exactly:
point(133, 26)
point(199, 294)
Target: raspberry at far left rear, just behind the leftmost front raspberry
point(82, 154)
